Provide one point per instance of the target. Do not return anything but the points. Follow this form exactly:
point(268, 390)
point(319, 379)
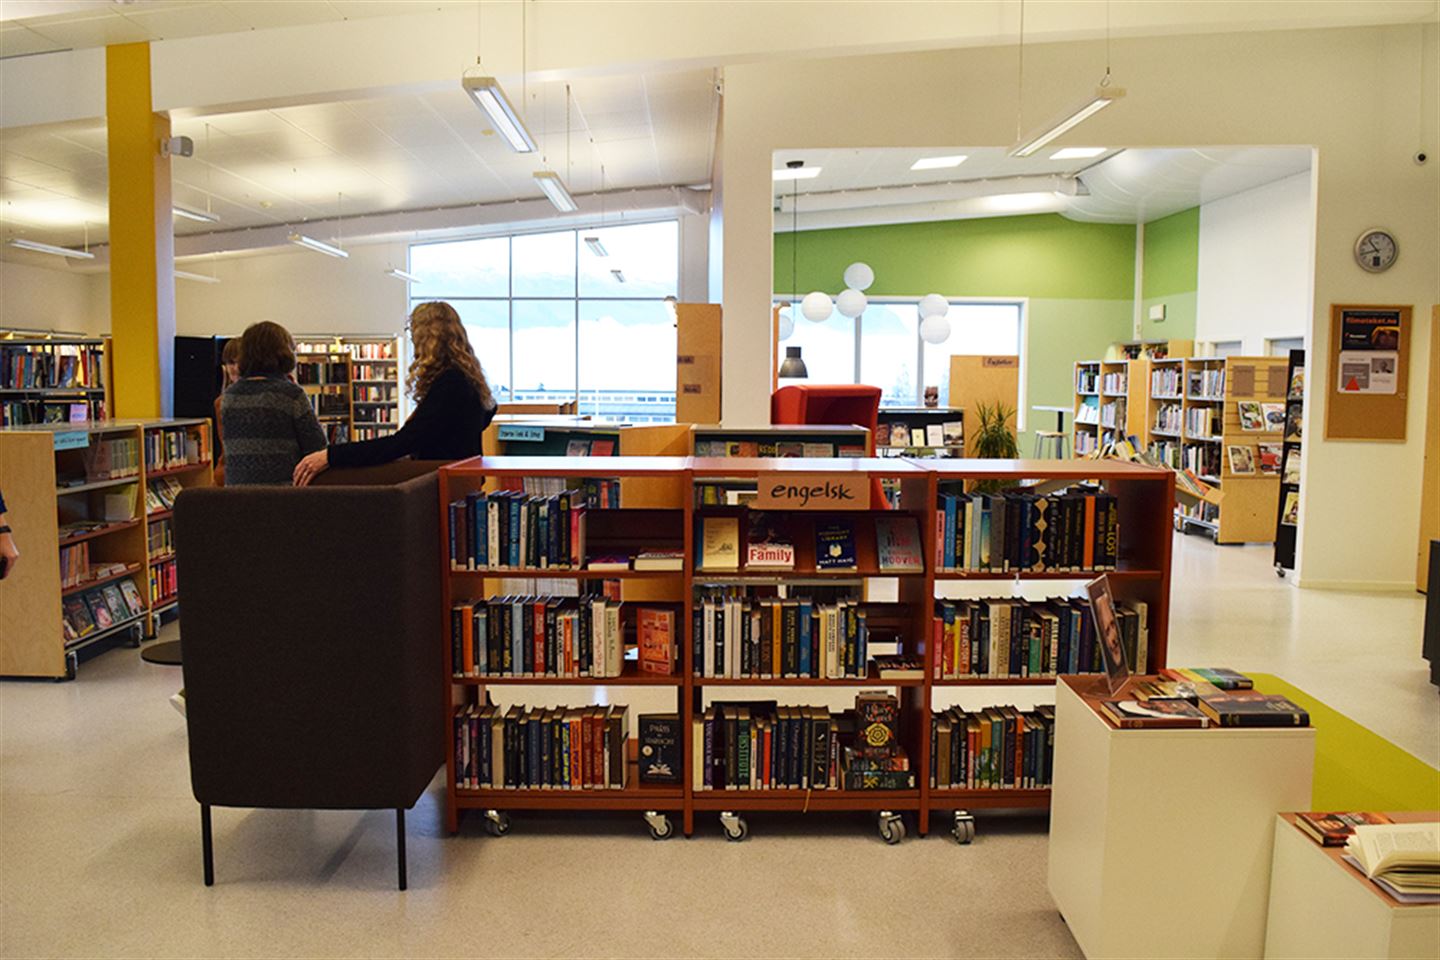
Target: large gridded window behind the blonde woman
point(552, 322)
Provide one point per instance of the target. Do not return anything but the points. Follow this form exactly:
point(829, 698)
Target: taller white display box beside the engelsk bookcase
point(1161, 840)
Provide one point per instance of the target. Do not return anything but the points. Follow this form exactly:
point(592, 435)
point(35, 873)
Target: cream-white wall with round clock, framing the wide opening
point(1302, 87)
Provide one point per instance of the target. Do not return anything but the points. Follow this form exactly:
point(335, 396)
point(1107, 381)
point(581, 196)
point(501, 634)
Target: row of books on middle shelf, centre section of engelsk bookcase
point(762, 638)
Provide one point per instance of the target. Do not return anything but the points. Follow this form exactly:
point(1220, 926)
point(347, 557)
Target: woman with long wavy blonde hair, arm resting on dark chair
point(454, 404)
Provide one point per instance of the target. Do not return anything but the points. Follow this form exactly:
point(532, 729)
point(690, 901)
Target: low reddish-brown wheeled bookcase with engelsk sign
point(663, 504)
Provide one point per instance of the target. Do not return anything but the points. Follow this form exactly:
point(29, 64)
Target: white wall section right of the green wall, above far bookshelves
point(1256, 255)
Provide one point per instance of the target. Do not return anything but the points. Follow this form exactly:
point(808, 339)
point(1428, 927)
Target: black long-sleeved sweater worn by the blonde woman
point(446, 427)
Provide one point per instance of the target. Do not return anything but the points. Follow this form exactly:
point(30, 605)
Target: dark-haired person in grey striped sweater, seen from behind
point(267, 421)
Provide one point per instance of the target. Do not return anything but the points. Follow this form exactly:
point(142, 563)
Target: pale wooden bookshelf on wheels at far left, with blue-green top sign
point(96, 492)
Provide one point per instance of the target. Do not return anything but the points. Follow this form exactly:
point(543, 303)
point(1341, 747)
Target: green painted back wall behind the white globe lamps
point(1079, 280)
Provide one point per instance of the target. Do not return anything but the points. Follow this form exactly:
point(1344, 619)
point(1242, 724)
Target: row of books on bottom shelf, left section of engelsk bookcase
point(538, 749)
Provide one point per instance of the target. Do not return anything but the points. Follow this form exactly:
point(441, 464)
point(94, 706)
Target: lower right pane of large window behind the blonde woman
point(629, 361)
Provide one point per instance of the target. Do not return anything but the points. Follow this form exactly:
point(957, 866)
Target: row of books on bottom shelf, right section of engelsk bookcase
point(993, 749)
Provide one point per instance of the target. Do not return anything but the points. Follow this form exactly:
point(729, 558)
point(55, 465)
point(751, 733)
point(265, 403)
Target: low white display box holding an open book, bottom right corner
point(1324, 907)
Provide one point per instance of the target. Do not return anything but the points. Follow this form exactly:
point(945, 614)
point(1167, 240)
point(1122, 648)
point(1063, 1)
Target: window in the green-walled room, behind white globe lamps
point(883, 346)
